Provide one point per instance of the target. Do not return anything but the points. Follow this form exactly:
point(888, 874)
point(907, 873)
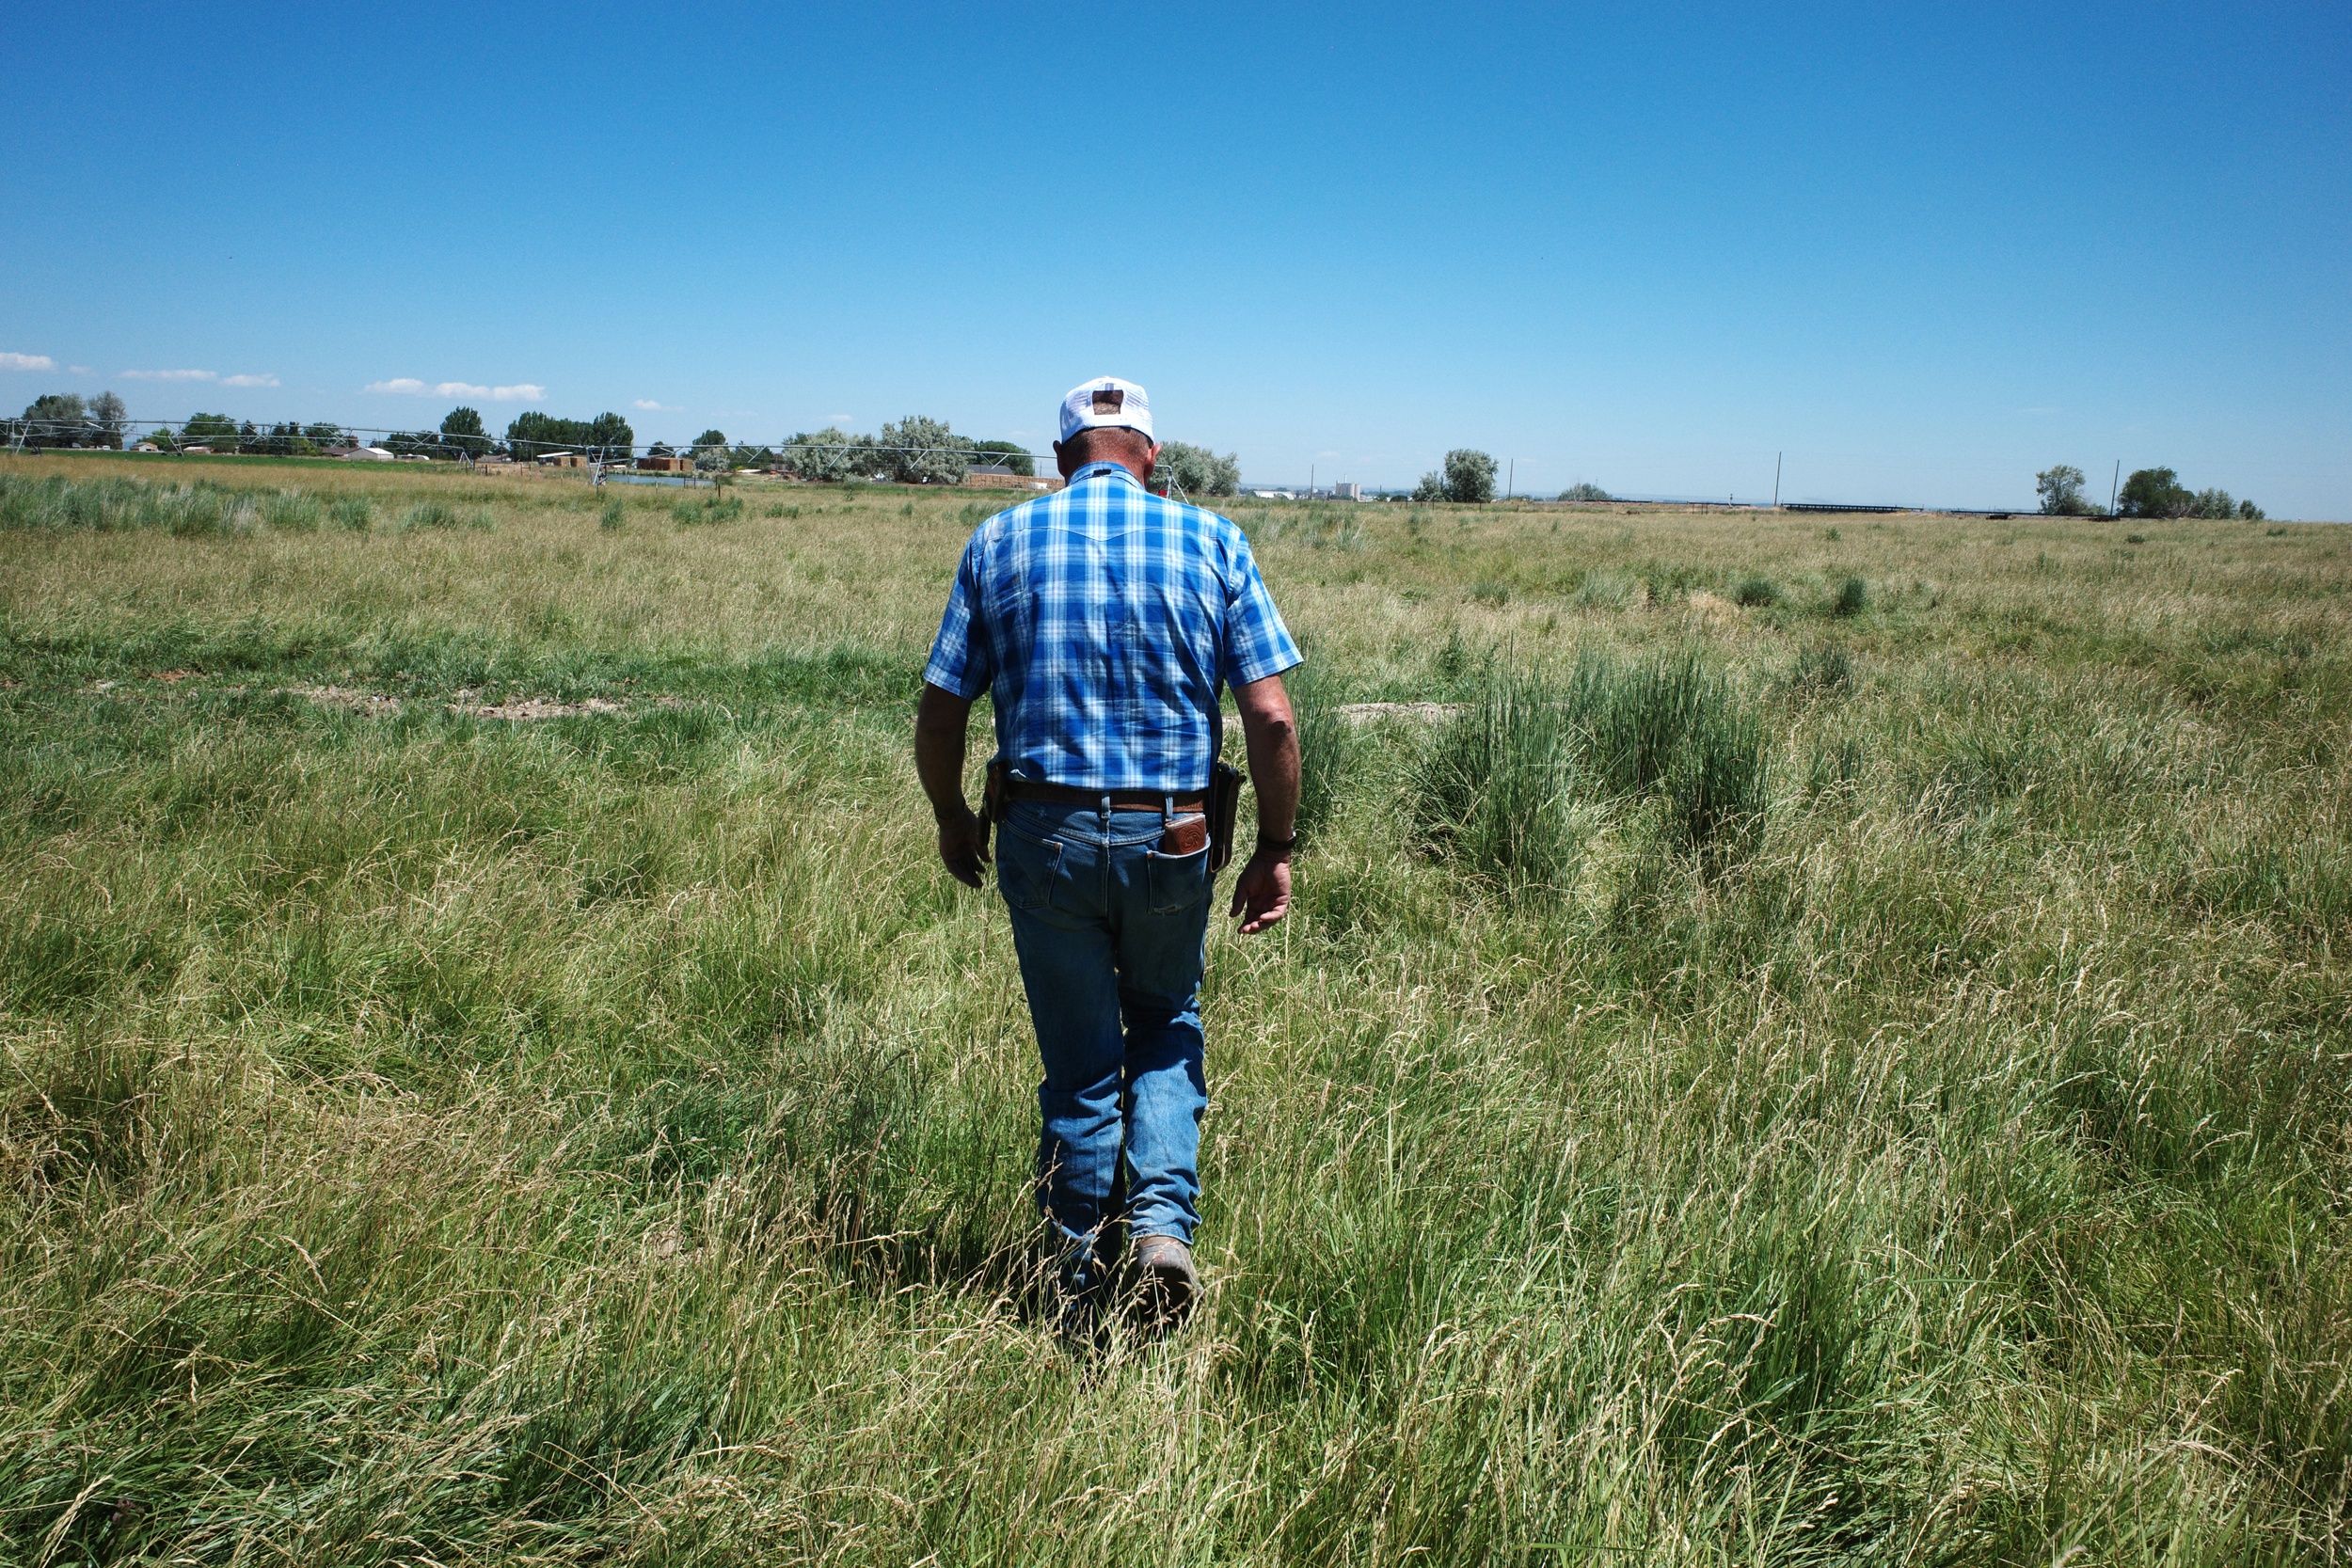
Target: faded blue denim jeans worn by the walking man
point(1111, 939)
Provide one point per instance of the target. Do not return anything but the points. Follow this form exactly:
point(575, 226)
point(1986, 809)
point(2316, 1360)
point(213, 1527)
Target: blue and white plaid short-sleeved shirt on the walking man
point(1104, 622)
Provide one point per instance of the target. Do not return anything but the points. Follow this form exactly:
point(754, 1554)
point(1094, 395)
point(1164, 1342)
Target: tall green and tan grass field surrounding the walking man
point(1831, 1047)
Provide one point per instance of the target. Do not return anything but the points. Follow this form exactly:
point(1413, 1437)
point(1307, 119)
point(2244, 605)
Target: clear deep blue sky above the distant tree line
point(1925, 253)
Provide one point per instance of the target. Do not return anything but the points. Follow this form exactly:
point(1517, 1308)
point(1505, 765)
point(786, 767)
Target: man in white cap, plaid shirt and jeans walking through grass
point(1104, 622)
